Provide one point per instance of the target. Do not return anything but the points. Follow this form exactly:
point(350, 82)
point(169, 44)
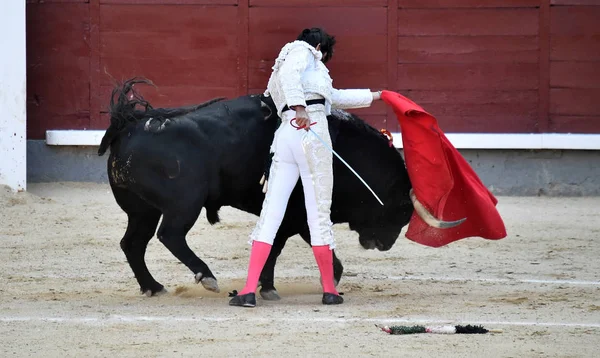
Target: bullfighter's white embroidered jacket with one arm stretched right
point(299, 74)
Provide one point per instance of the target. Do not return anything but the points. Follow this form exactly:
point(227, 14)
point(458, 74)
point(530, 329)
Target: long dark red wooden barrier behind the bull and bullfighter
point(521, 66)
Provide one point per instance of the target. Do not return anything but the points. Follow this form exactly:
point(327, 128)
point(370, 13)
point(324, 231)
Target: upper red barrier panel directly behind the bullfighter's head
point(361, 52)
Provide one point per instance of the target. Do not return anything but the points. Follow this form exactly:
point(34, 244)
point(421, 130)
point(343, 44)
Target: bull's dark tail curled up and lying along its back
point(128, 106)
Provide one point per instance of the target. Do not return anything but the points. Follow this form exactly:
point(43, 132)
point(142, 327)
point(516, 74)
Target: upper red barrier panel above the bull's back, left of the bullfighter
point(190, 47)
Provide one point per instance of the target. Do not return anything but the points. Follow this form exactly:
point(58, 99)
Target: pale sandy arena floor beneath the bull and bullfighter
point(67, 290)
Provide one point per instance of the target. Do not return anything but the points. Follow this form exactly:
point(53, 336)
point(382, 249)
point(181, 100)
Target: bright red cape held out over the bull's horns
point(442, 180)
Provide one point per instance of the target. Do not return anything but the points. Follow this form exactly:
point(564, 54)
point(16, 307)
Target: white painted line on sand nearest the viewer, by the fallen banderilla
point(177, 319)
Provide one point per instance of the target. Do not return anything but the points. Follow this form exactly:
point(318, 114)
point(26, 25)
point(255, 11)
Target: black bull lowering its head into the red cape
point(174, 162)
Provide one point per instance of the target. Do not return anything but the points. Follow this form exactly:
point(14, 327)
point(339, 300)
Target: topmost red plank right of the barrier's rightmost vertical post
point(575, 20)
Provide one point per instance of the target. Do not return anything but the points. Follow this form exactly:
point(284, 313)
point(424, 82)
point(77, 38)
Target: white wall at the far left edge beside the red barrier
point(12, 94)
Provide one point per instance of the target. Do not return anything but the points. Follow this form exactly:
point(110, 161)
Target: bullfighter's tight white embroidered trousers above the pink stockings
point(300, 154)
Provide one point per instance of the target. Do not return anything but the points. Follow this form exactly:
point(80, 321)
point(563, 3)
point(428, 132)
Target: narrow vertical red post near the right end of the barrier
point(544, 66)
